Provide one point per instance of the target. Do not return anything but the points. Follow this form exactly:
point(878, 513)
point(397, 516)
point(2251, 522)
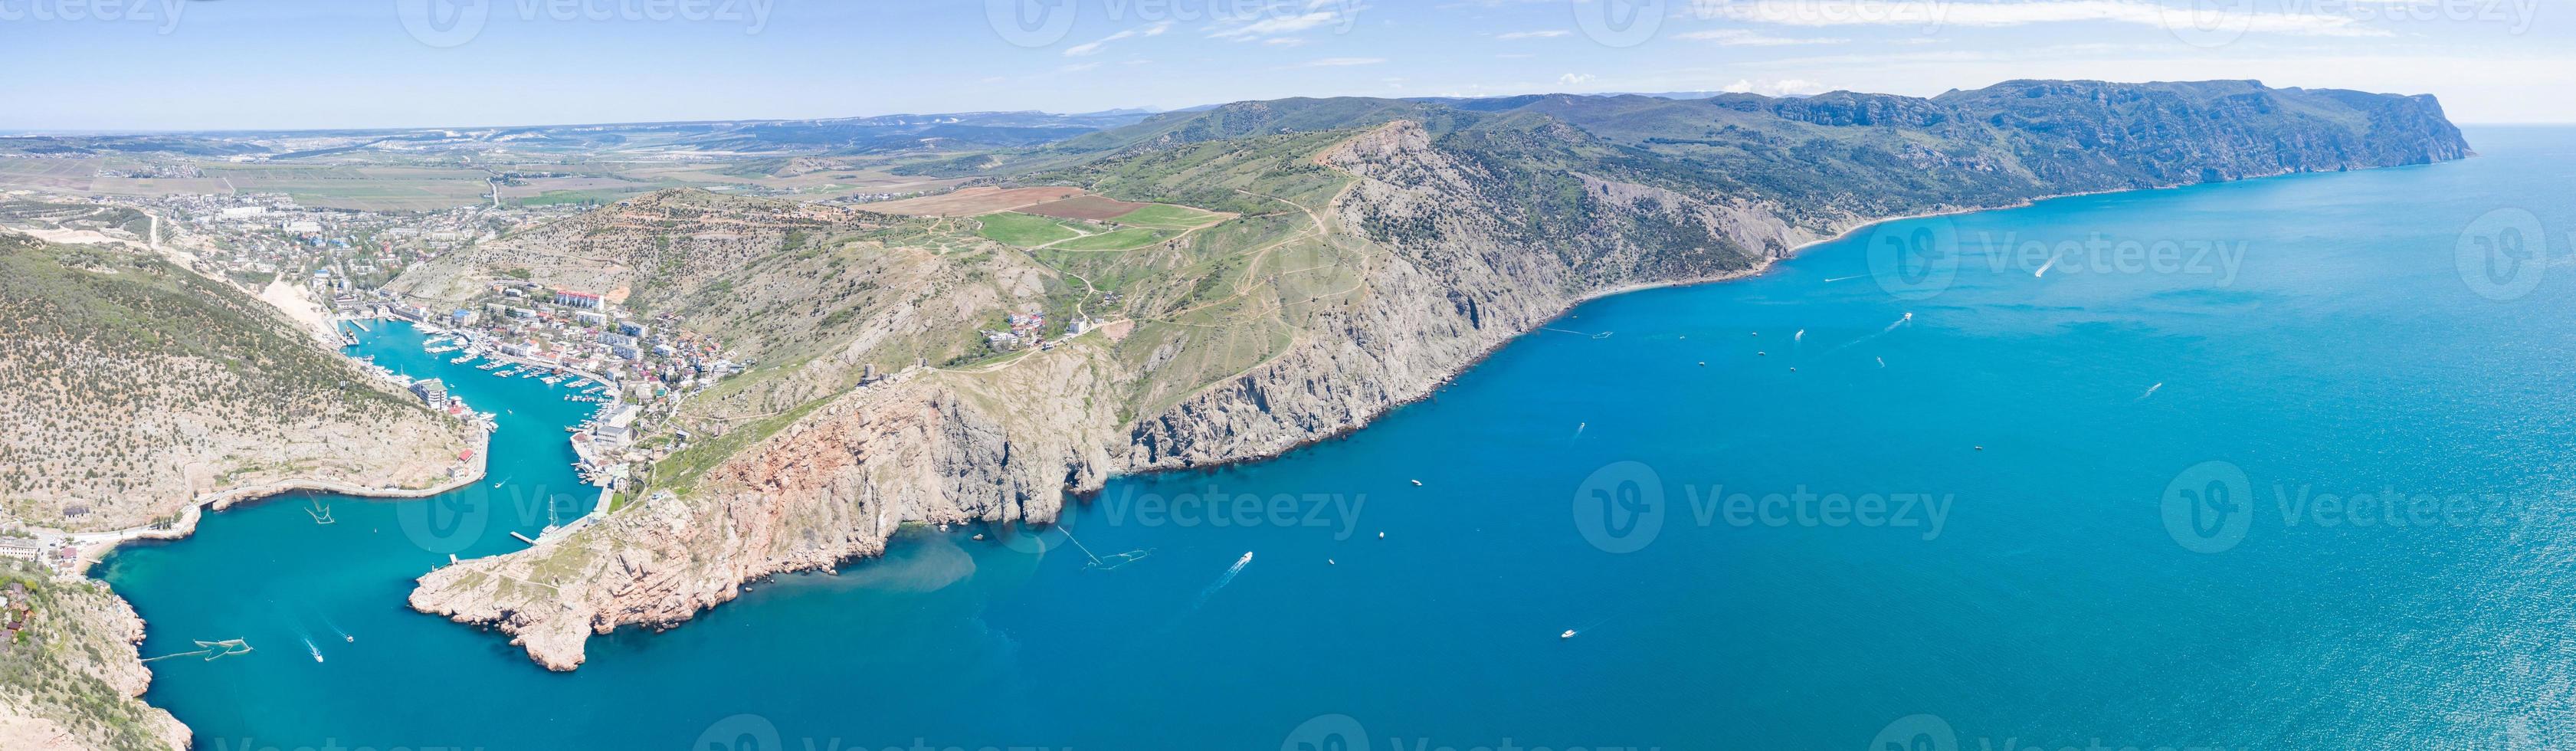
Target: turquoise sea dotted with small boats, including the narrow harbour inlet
point(2255, 466)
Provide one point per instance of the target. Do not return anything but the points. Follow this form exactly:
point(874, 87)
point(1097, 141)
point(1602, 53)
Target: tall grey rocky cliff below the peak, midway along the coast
point(1444, 301)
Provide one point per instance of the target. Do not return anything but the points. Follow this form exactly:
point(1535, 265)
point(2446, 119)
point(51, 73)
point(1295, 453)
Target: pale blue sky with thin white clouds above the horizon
point(158, 66)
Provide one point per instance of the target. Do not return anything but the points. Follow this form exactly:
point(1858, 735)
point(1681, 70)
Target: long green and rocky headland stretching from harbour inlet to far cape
point(1266, 275)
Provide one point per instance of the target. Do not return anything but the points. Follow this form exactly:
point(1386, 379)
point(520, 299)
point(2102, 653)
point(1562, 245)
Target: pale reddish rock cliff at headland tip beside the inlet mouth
point(926, 448)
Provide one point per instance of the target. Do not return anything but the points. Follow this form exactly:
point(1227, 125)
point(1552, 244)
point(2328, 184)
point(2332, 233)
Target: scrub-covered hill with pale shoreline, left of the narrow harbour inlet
point(143, 386)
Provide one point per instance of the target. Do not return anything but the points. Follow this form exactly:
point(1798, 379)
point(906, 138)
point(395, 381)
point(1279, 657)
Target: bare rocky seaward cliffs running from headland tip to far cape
point(1449, 262)
